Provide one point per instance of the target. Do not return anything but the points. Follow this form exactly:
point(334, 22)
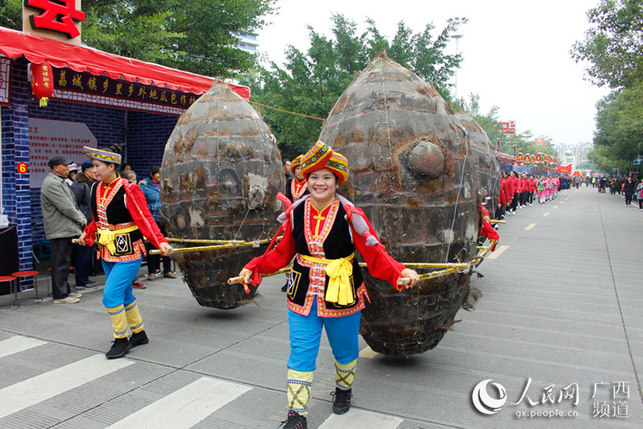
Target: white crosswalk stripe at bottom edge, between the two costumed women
point(186, 407)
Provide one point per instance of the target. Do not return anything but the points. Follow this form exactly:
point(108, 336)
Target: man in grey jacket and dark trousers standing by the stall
point(63, 221)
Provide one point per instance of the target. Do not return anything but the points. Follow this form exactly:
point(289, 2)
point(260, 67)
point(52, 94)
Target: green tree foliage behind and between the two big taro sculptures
point(310, 82)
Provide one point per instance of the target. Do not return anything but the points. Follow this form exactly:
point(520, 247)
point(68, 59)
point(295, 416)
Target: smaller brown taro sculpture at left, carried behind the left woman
point(220, 176)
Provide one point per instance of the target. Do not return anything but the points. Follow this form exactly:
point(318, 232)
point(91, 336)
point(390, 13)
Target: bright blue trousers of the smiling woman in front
point(305, 336)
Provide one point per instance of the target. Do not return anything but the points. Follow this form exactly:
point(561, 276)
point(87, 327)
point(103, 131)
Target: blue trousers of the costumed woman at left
point(118, 287)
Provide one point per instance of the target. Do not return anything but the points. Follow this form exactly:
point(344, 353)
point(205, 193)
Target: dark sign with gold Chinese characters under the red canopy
point(86, 88)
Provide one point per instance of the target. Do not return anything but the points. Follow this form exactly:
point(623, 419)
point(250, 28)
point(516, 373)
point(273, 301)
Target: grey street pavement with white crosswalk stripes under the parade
point(558, 332)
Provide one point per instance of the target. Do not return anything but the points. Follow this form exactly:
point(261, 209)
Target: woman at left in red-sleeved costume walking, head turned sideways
point(121, 219)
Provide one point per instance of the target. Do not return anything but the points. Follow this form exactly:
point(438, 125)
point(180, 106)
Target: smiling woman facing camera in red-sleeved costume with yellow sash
point(326, 290)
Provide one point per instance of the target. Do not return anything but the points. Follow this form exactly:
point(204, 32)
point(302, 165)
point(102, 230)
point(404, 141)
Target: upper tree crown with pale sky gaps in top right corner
point(613, 46)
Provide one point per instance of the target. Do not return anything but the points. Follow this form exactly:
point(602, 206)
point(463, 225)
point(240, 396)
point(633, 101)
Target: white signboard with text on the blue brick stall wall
point(48, 138)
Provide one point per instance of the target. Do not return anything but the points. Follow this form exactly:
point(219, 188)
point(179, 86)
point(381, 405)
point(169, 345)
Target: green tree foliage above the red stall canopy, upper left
point(197, 36)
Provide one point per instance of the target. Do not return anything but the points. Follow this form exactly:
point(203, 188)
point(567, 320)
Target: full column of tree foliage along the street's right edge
point(614, 48)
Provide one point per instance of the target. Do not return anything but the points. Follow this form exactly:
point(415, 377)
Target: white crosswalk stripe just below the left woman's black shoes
point(49, 384)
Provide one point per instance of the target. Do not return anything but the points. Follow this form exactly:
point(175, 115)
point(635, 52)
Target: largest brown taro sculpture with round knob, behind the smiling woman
point(412, 170)
